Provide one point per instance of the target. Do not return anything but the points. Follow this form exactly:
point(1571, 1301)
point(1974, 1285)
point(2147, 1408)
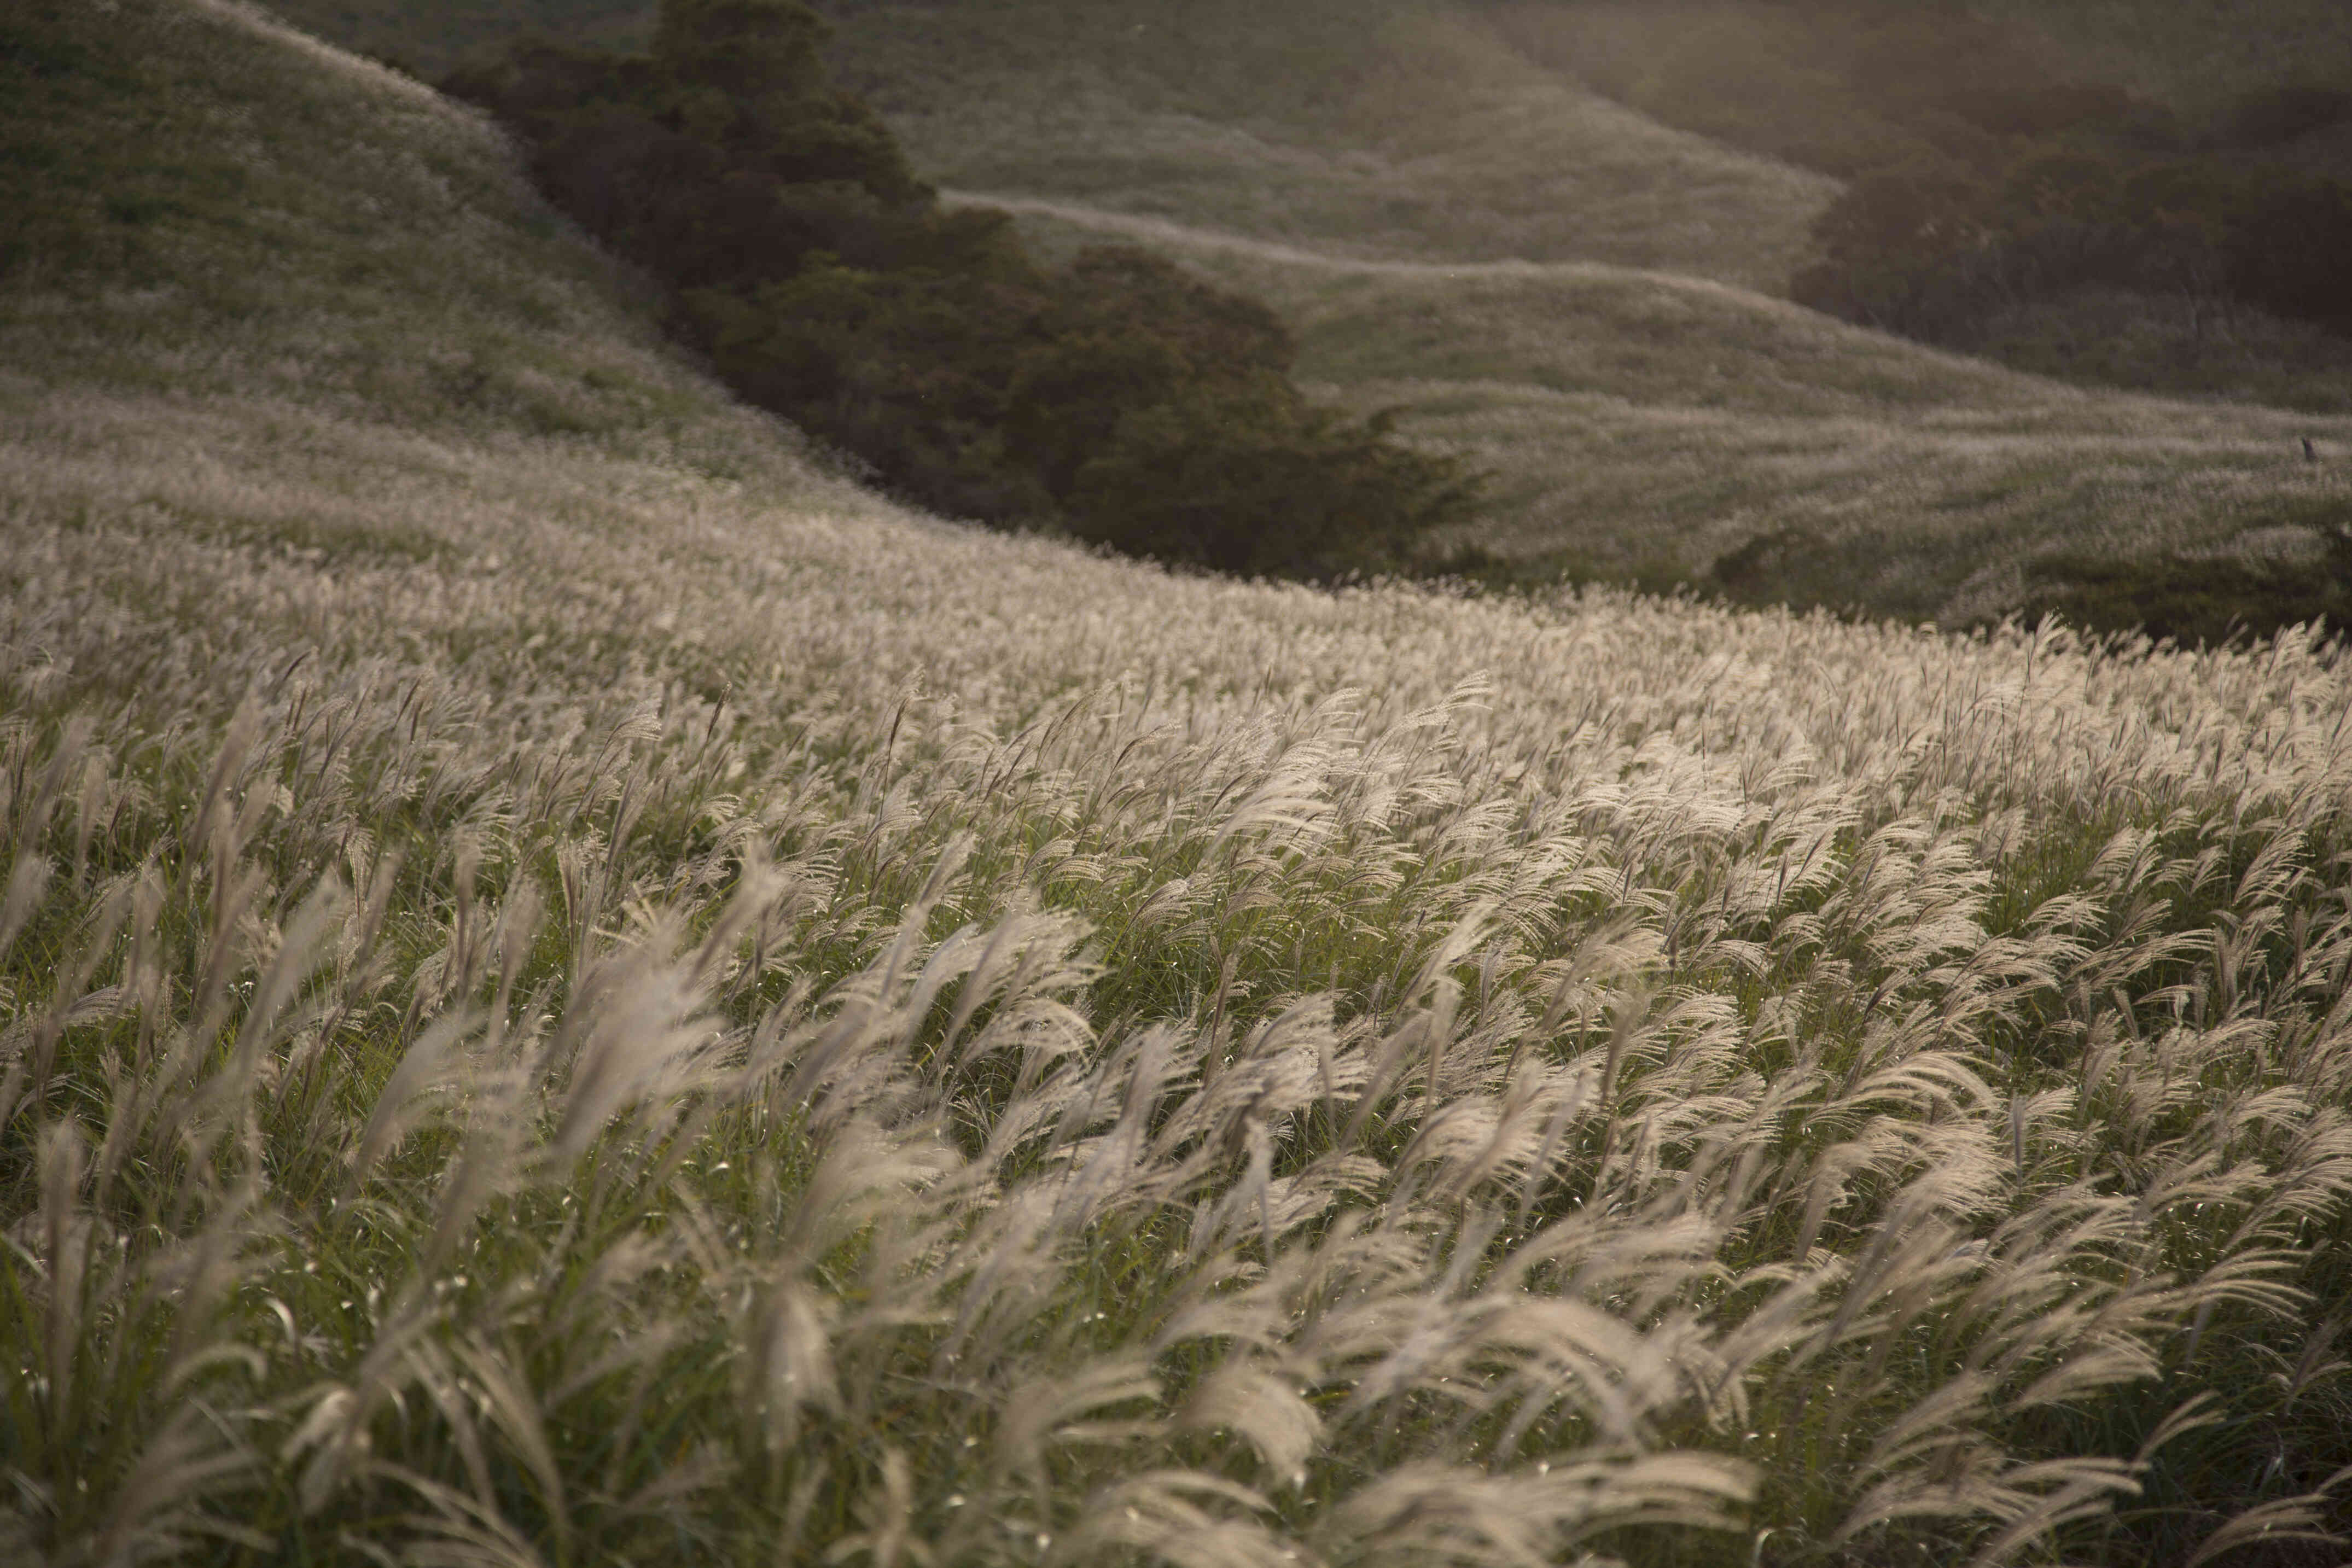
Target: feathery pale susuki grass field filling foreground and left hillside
point(575, 991)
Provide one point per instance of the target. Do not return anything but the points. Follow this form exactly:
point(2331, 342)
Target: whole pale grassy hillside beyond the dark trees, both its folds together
point(1638, 420)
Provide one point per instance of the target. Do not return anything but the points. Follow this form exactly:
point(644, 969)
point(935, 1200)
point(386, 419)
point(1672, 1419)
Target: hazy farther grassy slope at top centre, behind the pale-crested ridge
point(1384, 130)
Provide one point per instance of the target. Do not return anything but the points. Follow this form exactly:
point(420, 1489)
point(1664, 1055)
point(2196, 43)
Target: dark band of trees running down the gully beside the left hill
point(1114, 398)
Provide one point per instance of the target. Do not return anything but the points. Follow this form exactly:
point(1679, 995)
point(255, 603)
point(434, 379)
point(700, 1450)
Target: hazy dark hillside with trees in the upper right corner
point(2019, 201)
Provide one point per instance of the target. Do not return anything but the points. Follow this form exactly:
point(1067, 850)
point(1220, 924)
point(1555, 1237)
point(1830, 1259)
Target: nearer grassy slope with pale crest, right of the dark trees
point(1648, 424)
